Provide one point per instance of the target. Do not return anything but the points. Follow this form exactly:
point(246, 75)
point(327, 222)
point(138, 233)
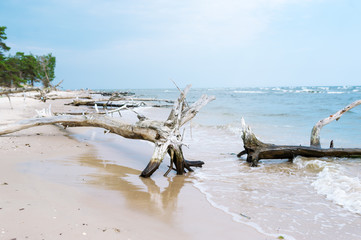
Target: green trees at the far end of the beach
point(24, 69)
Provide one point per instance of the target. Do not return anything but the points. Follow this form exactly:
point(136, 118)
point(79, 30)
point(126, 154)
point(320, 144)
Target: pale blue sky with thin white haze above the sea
point(104, 44)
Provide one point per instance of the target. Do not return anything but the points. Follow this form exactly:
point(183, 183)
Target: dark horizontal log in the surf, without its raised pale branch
point(257, 150)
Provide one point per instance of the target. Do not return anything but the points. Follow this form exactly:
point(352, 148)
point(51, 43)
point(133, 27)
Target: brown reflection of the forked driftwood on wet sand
point(142, 194)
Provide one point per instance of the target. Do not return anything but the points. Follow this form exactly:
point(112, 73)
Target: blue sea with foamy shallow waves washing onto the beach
point(311, 198)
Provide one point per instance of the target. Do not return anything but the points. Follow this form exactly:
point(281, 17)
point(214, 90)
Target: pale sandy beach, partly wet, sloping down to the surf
point(65, 184)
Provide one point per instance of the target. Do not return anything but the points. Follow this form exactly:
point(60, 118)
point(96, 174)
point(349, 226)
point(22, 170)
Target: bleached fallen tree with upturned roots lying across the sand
point(164, 134)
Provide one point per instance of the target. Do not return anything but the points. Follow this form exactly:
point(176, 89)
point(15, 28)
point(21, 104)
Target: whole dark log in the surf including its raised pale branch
point(257, 150)
